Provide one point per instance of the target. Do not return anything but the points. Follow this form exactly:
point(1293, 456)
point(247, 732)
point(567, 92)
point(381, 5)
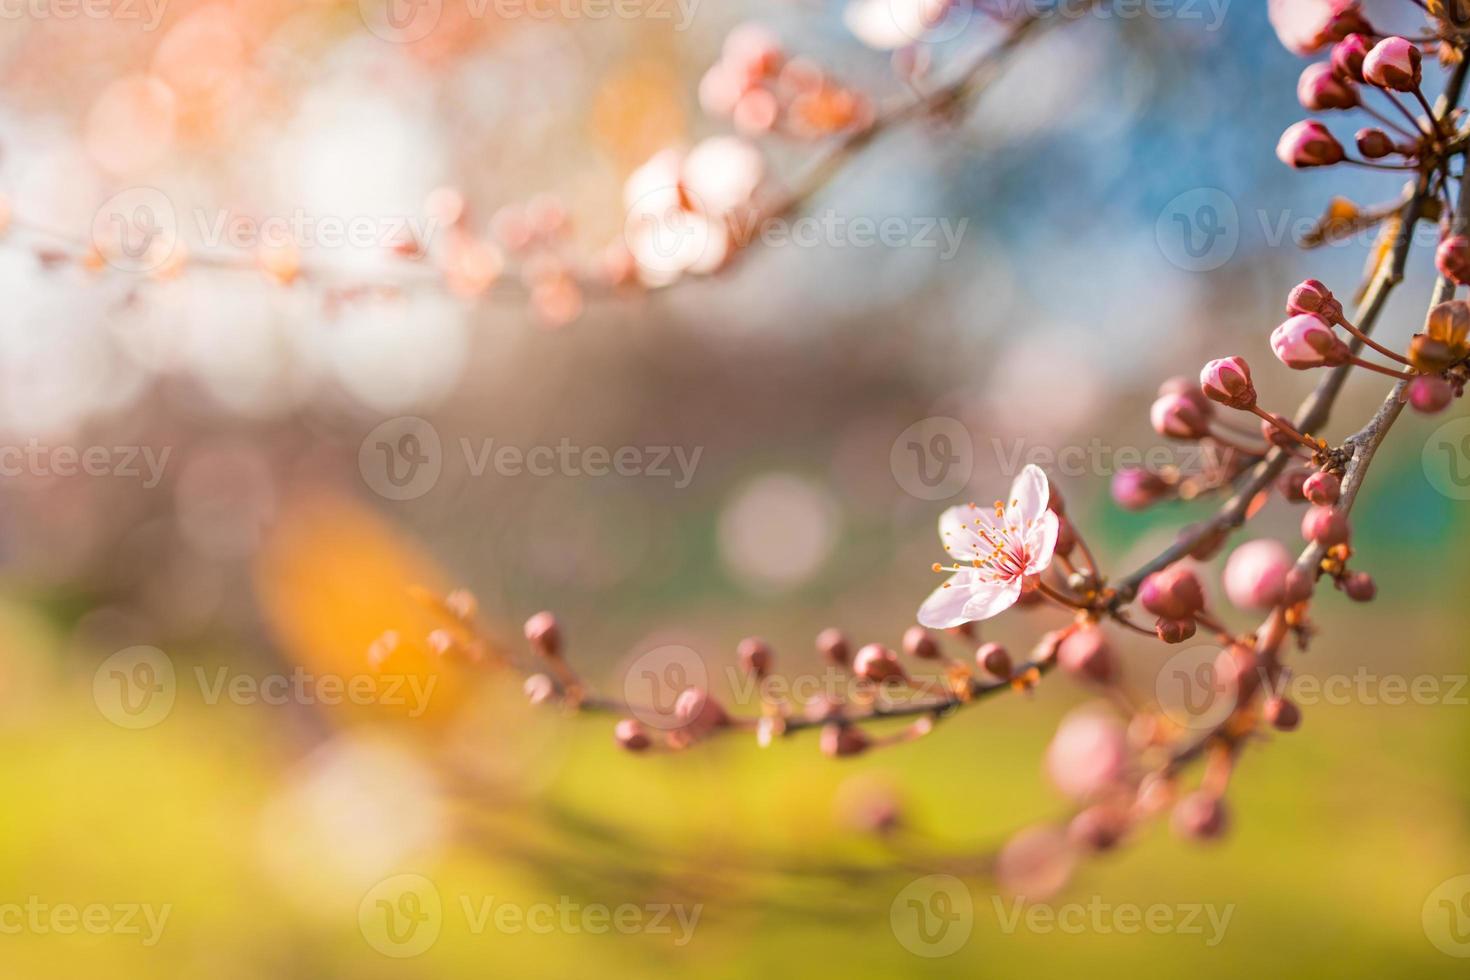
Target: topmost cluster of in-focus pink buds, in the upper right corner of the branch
point(1393, 67)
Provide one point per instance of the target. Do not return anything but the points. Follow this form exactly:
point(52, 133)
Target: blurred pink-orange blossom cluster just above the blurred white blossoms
point(761, 90)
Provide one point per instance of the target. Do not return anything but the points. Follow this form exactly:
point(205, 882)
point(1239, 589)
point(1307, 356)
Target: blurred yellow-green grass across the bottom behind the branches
point(1343, 831)
